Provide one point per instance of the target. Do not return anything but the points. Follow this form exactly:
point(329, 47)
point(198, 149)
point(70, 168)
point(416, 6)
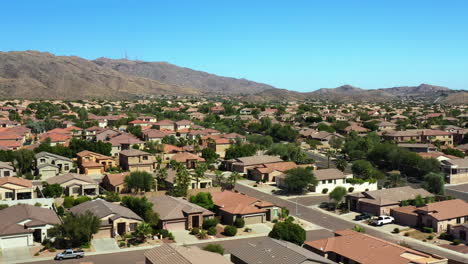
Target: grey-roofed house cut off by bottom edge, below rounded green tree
point(273, 251)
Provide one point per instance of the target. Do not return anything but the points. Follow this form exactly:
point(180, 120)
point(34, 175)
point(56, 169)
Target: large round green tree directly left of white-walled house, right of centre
point(298, 179)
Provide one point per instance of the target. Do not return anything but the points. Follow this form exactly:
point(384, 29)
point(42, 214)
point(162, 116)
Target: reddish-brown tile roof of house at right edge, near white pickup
point(446, 209)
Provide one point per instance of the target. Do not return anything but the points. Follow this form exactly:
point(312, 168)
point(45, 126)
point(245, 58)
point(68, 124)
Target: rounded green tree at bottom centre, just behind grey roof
point(288, 231)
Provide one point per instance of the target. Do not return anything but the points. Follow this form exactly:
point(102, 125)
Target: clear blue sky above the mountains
point(297, 45)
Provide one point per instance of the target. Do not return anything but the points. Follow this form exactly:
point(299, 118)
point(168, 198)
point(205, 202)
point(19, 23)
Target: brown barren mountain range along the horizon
point(42, 75)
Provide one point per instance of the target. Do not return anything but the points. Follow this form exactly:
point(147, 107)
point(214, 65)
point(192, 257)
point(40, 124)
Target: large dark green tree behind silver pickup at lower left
point(75, 230)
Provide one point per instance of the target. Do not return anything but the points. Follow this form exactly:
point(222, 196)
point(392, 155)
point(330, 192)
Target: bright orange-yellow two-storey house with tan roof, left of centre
point(92, 163)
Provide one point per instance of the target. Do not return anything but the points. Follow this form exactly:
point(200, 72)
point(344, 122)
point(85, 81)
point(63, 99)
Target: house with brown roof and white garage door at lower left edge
point(22, 225)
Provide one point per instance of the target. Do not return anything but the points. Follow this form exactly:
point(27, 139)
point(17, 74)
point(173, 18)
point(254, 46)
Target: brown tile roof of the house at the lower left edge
point(11, 216)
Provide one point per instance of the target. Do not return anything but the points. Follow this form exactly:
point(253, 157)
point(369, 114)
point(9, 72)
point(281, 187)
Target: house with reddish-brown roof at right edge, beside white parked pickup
point(439, 215)
